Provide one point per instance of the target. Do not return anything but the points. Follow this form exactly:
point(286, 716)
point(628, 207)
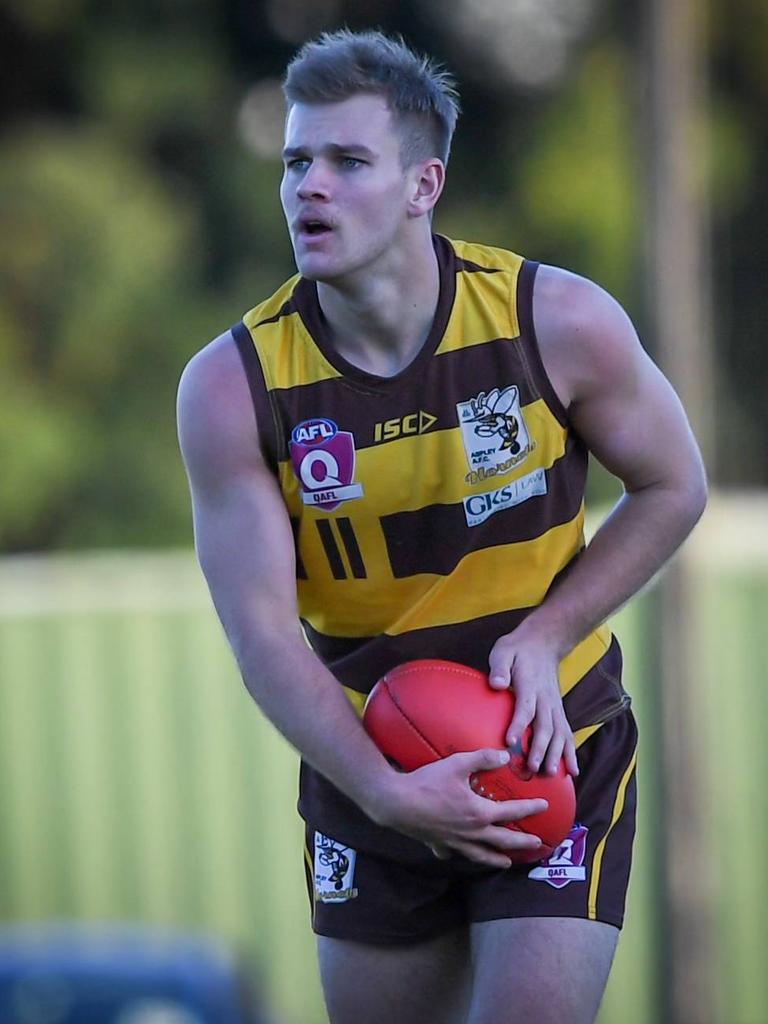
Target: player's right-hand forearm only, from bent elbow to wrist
point(637, 539)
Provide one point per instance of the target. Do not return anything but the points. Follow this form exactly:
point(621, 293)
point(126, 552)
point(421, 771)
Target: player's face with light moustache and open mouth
point(345, 192)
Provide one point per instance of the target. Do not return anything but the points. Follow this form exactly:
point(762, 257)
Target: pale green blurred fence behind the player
point(140, 782)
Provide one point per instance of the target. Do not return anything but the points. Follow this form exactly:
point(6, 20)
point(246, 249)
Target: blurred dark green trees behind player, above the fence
point(139, 212)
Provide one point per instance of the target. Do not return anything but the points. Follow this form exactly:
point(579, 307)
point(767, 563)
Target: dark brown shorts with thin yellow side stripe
point(368, 899)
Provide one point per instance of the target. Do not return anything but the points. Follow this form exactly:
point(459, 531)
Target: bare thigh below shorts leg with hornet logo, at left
point(411, 984)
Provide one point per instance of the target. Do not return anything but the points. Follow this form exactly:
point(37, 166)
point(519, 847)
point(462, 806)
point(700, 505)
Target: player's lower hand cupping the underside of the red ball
point(438, 806)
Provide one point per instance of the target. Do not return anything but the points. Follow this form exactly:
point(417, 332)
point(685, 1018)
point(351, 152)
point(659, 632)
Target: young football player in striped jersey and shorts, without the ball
point(392, 453)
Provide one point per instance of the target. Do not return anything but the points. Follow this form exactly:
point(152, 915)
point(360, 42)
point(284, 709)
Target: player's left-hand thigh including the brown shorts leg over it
point(393, 938)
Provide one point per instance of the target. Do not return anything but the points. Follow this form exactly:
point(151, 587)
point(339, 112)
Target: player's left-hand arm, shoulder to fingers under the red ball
point(246, 549)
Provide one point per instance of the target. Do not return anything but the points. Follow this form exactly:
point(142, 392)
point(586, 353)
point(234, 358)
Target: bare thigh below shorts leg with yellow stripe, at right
point(543, 970)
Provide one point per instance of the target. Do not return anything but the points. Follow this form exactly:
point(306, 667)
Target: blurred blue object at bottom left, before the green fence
point(120, 974)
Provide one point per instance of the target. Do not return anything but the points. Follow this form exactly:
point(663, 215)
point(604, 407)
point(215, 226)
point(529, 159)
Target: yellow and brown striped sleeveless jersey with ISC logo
point(432, 510)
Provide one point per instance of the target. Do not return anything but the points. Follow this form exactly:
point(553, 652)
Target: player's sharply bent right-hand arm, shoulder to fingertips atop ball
point(632, 421)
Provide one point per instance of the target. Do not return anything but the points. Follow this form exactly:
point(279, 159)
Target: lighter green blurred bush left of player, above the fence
point(95, 247)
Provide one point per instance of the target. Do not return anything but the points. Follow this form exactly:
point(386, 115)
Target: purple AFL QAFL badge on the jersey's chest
point(323, 458)
